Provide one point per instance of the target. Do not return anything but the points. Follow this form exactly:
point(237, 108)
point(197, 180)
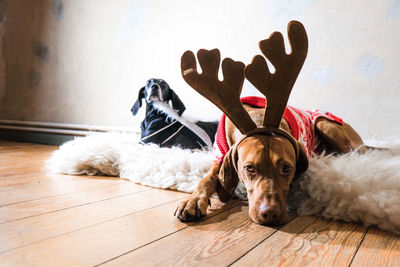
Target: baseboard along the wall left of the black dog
point(51, 133)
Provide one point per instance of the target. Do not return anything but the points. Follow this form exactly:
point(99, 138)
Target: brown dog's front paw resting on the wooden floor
point(192, 209)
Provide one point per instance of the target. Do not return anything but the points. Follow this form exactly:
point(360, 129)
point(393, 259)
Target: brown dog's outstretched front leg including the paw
point(195, 207)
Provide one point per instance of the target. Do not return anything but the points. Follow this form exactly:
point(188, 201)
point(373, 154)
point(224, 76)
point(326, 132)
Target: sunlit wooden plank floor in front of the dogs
point(61, 220)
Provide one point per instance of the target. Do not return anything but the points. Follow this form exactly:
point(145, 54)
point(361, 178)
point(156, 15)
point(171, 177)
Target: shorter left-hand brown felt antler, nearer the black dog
point(224, 94)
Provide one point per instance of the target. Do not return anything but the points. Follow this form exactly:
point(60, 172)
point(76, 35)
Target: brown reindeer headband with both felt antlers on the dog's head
point(276, 87)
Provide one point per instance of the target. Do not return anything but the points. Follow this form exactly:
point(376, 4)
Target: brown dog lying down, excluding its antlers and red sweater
point(266, 165)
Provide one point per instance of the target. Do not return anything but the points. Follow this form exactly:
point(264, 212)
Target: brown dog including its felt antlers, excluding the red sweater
point(263, 154)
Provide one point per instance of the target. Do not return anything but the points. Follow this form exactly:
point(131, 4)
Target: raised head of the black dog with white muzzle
point(157, 90)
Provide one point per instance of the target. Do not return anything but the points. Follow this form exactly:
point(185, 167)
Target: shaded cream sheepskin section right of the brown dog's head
point(353, 187)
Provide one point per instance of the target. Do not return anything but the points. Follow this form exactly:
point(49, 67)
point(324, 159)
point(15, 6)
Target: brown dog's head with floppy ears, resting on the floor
point(266, 165)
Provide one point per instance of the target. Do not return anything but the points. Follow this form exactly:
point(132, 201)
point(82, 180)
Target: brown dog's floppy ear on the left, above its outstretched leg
point(228, 176)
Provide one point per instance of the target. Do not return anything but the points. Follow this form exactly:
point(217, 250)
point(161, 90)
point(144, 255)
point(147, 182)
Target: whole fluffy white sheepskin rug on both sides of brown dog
point(352, 187)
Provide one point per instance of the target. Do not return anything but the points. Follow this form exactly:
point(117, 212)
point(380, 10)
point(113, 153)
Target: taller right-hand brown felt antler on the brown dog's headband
point(277, 86)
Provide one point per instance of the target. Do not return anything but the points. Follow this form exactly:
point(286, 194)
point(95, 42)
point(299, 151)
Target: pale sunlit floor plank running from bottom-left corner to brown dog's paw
point(101, 242)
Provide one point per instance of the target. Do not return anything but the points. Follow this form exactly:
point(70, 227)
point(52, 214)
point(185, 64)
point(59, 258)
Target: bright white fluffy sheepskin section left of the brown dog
point(117, 154)
